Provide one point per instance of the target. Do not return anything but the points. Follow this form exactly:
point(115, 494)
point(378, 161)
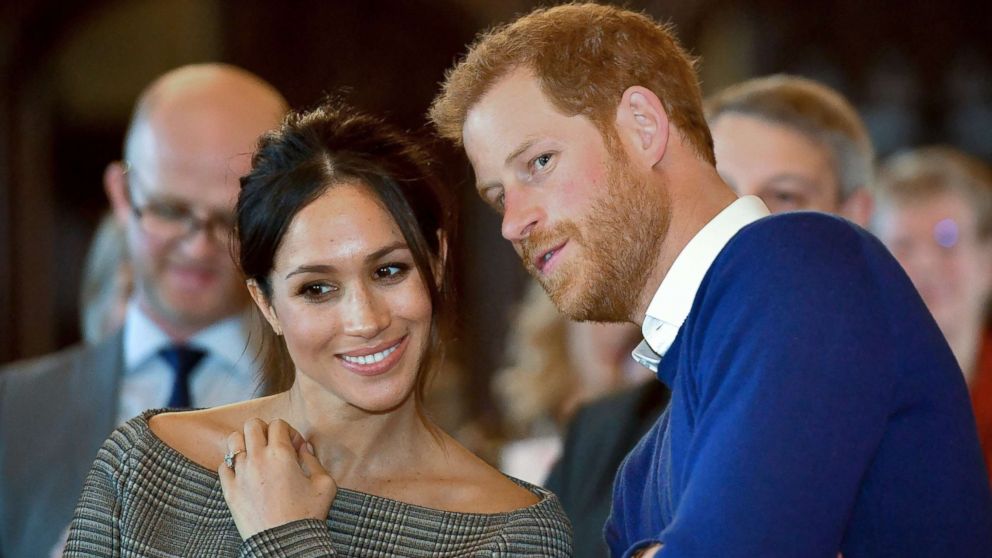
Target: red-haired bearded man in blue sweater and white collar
point(798, 425)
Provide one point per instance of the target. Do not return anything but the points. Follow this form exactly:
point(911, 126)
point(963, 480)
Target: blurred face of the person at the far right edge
point(935, 239)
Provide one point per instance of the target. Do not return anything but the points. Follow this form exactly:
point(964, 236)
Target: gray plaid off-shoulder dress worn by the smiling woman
point(143, 498)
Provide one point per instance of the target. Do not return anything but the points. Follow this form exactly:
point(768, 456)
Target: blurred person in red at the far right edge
point(934, 212)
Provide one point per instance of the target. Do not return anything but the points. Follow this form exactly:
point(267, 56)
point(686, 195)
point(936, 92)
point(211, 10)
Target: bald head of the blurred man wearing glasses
point(189, 142)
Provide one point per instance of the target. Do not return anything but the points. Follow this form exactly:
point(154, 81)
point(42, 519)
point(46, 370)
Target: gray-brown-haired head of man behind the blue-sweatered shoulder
point(795, 143)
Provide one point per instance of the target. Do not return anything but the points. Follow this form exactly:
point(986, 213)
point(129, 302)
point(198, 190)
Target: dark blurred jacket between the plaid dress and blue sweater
point(600, 435)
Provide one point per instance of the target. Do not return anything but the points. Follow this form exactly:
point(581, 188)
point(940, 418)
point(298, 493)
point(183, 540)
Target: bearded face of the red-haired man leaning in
point(575, 212)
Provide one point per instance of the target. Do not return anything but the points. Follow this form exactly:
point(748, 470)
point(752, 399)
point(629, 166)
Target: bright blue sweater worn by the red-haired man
point(815, 408)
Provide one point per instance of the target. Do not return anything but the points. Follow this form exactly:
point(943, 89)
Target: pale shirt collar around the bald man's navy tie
point(226, 340)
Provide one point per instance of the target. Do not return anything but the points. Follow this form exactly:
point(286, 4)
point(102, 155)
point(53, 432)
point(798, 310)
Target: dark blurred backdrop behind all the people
point(920, 71)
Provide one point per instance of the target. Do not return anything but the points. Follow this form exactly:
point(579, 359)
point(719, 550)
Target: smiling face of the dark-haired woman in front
point(349, 301)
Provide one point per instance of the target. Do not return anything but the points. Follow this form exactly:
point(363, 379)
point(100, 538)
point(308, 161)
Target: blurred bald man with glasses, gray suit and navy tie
point(184, 342)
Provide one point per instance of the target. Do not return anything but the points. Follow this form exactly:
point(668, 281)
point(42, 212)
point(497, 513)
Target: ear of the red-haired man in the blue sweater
point(643, 125)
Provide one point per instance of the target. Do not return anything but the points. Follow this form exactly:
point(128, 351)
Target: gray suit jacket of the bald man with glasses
point(55, 412)
